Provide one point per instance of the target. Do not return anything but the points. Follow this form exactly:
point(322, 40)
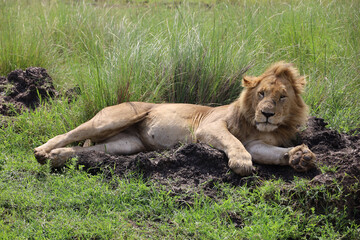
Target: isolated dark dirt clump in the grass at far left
point(23, 90)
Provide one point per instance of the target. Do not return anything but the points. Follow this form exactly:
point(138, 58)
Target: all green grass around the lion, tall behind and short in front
point(168, 51)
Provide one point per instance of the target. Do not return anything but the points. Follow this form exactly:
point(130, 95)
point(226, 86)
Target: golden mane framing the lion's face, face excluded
point(244, 109)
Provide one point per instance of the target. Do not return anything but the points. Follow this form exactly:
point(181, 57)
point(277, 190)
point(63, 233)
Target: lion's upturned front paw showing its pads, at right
point(301, 158)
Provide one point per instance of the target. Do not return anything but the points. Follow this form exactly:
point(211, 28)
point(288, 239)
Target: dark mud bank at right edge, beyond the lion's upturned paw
point(340, 153)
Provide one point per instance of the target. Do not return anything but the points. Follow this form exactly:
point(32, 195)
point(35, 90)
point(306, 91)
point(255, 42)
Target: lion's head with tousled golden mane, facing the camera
point(272, 101)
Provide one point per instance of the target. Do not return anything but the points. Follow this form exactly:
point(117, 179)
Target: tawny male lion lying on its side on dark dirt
point(264, 117)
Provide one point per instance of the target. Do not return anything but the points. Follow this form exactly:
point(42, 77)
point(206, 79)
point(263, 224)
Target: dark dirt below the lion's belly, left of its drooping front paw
point(181, 167)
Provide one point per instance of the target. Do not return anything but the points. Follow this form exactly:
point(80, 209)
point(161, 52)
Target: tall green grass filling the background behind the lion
point(185, 51)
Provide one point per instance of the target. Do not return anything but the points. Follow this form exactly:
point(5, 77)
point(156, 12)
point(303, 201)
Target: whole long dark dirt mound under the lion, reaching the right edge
point(195, 166)
